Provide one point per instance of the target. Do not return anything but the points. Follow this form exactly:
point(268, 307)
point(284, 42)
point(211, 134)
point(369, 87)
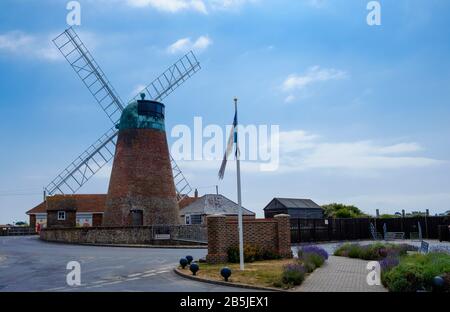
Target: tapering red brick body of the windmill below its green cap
point(141, 178)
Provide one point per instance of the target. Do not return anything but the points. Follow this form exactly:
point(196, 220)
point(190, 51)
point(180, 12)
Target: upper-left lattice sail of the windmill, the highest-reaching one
point(82, 62)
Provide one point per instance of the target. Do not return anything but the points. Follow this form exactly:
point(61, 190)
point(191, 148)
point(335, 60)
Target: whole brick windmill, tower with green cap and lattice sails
point(146, 183)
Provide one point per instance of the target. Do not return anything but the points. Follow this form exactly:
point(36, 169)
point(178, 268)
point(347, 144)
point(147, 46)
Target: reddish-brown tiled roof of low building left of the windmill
point(81, 202)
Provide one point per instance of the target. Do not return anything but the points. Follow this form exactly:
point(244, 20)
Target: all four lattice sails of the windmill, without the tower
point(97, 155)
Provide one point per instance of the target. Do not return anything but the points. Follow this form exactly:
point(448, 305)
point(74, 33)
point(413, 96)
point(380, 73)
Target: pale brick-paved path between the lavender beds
point(339, 274)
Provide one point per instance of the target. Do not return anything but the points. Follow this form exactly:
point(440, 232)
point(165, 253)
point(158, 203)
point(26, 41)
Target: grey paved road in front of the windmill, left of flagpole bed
point(28, 264)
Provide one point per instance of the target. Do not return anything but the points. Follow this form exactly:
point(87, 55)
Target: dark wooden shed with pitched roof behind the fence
point(296, 208)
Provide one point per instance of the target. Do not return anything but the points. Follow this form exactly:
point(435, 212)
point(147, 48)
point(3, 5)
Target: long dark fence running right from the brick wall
point(317, 230)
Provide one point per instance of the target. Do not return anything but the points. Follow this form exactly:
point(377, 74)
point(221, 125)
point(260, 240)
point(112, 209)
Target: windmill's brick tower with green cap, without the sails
point(141, 188)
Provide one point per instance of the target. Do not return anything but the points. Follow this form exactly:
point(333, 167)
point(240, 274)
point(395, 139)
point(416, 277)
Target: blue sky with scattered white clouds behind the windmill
point(363, 111)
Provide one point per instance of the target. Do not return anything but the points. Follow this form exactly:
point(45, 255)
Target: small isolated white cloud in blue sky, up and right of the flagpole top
point(313, 75)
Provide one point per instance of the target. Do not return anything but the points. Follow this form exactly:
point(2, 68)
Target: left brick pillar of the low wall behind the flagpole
point(217, 239)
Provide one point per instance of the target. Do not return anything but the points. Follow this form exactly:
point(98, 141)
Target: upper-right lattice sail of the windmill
point(172, 78)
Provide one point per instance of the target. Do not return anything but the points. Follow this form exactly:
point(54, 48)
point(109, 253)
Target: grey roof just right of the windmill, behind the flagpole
point(214, 204)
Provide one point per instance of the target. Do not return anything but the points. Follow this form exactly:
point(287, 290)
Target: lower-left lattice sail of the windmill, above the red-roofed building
point(84, 166)
